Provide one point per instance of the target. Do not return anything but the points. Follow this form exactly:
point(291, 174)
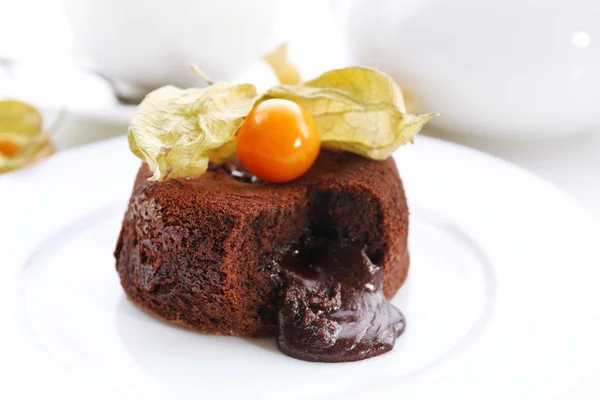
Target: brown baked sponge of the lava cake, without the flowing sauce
point(200, 252)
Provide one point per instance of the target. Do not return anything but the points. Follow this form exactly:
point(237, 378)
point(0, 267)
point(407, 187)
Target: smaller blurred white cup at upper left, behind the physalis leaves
point(140, 45)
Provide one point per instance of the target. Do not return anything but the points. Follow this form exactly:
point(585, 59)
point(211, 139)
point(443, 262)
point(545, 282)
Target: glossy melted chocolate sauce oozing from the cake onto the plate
point(331, 304)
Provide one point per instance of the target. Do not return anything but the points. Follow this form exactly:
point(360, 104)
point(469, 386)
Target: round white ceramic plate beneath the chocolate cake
point(501, 301)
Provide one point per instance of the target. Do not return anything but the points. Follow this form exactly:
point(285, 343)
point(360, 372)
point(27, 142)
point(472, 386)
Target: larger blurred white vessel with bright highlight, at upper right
point(522, 68)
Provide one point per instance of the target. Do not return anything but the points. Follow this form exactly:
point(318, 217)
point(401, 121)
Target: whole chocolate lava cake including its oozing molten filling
point(228, 254)
